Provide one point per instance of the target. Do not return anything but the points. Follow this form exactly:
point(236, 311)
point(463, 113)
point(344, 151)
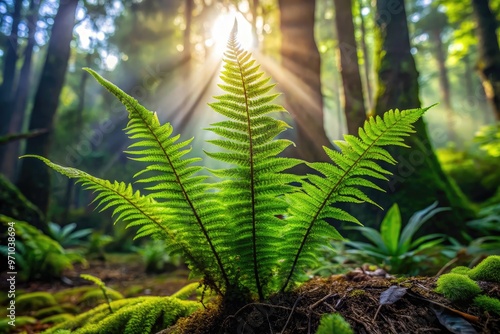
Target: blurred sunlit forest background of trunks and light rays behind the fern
point(336, 61)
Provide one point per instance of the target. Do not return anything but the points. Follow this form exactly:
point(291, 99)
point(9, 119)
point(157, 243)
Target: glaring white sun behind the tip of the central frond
point(222, 27)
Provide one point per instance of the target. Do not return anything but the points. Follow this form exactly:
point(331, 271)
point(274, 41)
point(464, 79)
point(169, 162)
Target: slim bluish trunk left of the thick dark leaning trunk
point(9, 156)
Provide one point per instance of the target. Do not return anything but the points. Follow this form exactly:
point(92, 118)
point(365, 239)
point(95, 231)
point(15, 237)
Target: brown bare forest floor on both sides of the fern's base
point(356, 296)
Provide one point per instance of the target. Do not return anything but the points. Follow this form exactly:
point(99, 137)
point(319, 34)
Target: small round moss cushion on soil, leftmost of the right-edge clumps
point(457, 287)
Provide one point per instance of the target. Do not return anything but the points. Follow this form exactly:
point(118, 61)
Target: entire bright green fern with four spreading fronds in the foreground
point(231, 232)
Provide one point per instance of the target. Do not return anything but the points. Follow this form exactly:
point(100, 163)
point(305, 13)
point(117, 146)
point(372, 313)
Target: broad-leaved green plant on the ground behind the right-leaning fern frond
point(394, 247)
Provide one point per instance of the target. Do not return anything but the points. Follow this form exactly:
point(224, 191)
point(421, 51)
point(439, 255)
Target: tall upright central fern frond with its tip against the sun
point(254, 187)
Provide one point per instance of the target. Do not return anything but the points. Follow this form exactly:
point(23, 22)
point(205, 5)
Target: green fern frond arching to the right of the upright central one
point(358, 158)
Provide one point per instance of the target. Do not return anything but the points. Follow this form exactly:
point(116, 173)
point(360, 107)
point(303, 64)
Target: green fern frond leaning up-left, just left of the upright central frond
point(172, 182)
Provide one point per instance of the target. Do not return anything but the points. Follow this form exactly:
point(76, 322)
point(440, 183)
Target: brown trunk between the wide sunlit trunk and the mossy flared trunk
point(354, 106)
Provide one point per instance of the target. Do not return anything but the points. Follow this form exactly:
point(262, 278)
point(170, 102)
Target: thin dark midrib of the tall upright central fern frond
point(252, 180)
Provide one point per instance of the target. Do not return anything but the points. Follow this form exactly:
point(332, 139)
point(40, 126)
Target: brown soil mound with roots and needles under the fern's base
point(356, 298)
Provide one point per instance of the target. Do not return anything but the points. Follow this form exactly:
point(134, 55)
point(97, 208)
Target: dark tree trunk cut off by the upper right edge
point(489, 53)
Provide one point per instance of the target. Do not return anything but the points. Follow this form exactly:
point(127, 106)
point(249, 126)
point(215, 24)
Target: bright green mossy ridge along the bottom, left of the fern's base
point(131, 316)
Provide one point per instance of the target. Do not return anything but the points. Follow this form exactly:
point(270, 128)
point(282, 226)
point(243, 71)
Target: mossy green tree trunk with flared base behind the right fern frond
point(417, 179)
